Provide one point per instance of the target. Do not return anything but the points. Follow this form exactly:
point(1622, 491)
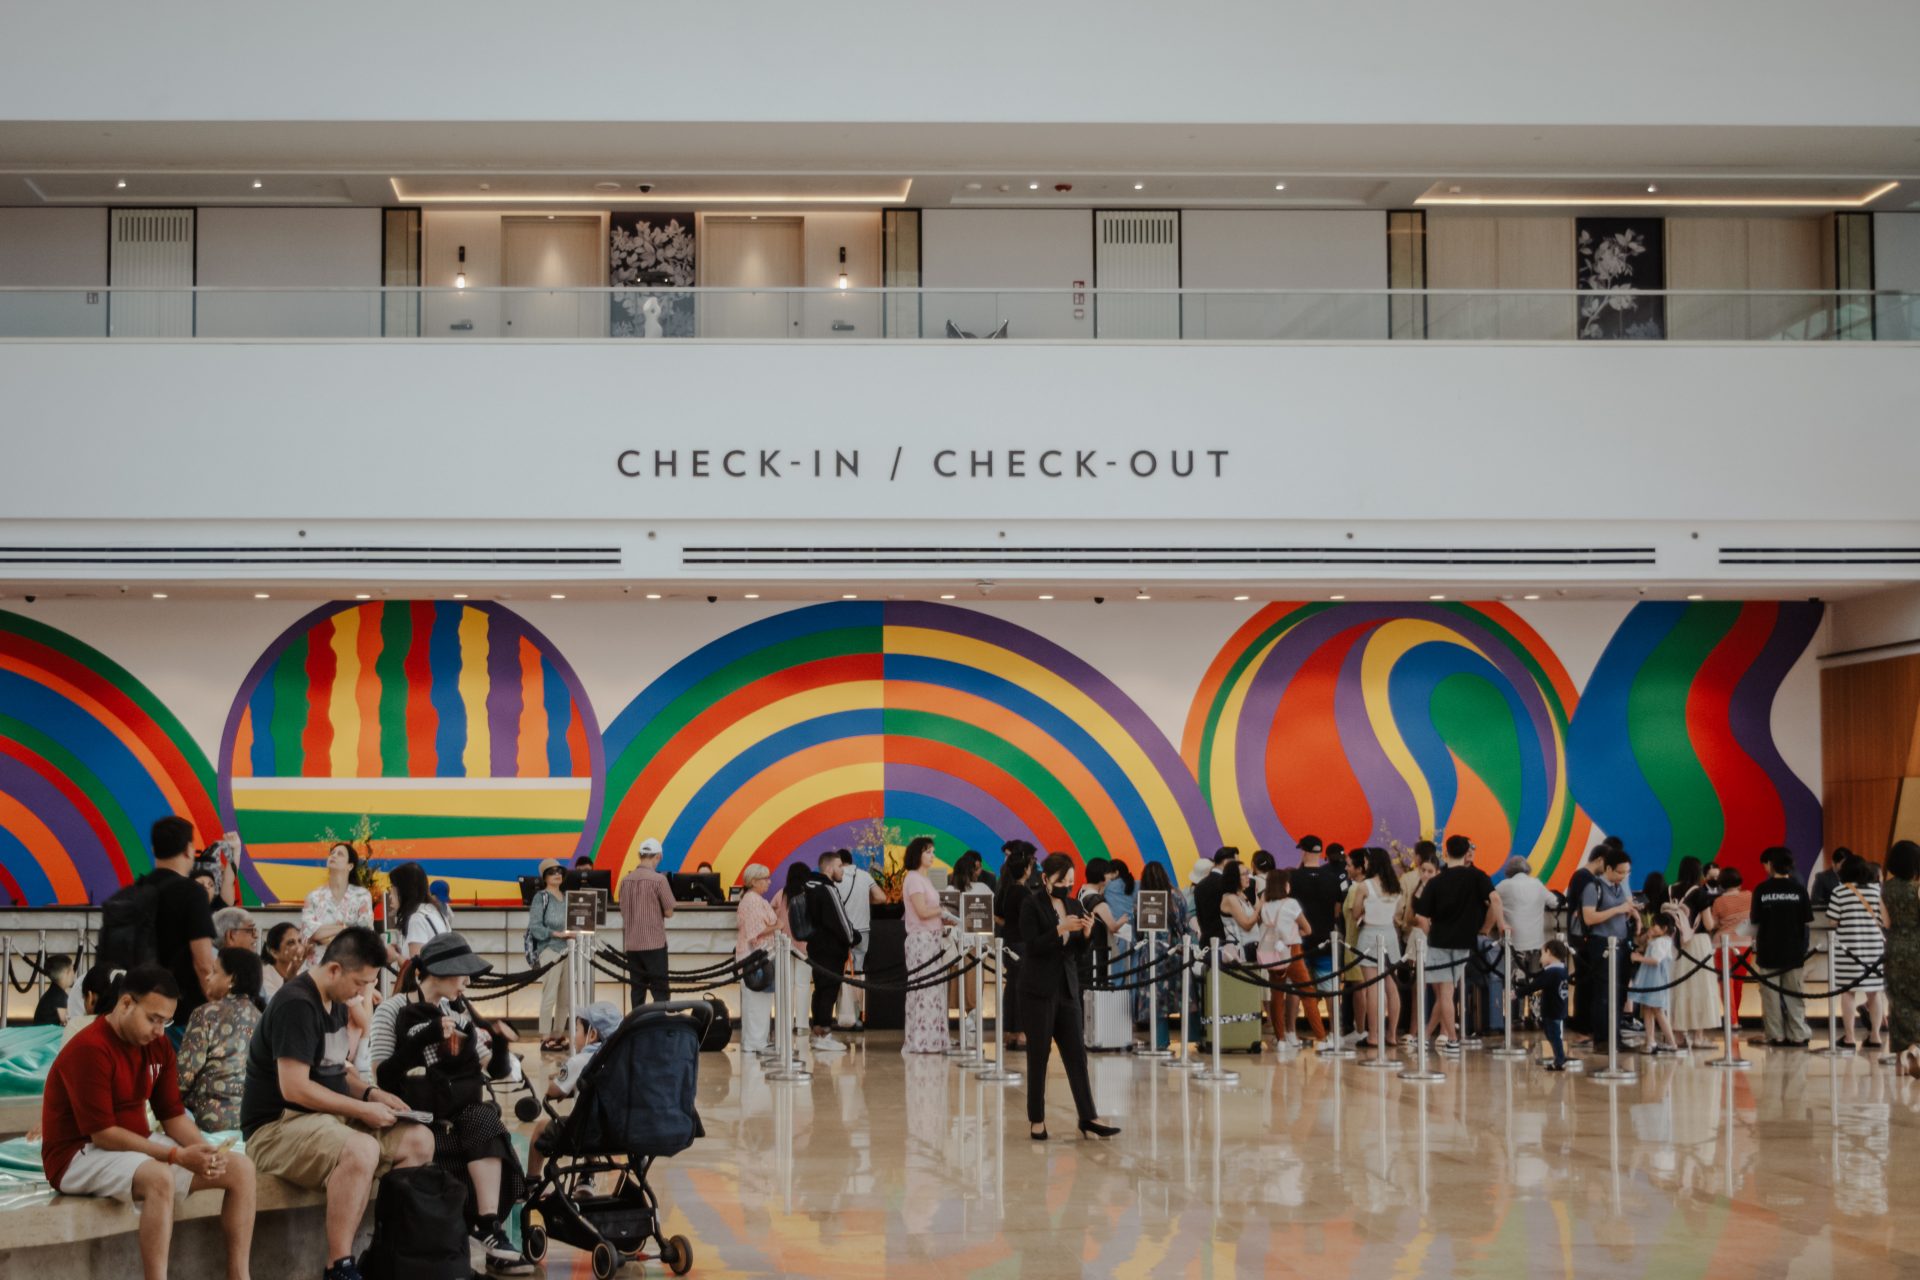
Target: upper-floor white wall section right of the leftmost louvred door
point(289, 252)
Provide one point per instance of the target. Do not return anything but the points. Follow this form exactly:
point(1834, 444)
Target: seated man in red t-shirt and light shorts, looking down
point(95, 1135)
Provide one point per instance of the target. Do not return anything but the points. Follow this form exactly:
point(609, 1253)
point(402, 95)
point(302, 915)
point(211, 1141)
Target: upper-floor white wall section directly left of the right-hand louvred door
point(1007, 250)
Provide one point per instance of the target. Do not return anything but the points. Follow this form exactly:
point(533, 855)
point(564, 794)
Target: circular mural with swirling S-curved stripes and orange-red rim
point(1362, 723)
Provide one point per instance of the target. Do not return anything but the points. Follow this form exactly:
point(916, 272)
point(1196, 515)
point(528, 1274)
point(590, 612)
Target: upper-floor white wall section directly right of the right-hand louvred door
point(1284, 250)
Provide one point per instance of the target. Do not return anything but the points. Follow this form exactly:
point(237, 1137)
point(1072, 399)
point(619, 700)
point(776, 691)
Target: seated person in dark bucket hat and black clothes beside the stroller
point(433, 1051)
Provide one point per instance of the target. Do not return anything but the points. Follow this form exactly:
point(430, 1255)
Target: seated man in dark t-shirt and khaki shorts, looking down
point(306, 1112)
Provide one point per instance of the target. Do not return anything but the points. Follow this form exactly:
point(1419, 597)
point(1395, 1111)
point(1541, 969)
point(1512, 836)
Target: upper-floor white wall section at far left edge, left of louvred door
point(53, 250)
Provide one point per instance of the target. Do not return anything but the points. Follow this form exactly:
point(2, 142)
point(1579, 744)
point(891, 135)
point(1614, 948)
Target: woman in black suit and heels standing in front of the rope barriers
point(1053, 930)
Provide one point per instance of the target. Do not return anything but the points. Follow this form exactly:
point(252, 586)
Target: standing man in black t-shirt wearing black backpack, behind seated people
point(164, 918)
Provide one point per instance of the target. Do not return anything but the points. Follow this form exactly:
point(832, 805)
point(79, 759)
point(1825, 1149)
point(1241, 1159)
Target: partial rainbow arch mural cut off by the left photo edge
point(89, 759)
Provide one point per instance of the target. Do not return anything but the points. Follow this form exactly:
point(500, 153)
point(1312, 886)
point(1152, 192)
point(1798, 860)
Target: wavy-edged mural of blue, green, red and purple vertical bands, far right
point(1673, 744)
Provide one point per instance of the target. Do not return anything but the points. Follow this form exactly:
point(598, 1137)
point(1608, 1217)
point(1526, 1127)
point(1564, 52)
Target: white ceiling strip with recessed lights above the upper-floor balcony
point(934, 166)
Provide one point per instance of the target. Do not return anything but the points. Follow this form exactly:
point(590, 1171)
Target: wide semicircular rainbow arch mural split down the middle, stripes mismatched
point(790, 736)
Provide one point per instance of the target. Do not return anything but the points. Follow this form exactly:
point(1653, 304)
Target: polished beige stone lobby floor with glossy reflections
point(888, 1166)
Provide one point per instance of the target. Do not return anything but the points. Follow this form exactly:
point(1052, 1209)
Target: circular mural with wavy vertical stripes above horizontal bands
point(454, 728)
